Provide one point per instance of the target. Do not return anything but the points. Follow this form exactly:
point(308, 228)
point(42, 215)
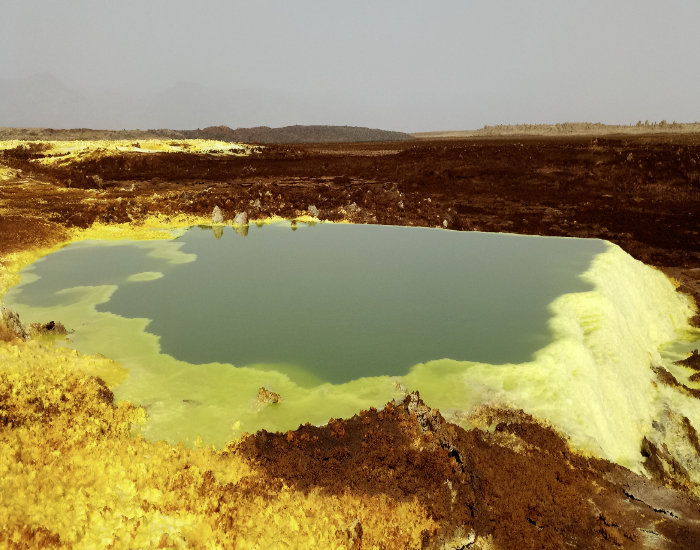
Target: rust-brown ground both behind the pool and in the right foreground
point(516, 484)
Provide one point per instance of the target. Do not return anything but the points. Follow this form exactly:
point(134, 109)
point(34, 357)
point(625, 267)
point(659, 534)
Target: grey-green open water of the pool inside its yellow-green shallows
point(336, 302)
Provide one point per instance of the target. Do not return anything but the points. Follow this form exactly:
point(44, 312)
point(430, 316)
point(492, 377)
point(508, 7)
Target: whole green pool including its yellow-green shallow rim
point(333, 318)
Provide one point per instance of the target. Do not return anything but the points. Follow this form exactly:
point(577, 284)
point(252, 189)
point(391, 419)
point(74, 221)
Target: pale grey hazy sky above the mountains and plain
point(411, 65)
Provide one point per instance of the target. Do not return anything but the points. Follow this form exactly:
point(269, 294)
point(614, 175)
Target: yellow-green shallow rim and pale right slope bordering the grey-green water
point(593, 382)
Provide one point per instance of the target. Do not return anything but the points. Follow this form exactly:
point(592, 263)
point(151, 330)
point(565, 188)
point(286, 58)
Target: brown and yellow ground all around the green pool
point(75, 472)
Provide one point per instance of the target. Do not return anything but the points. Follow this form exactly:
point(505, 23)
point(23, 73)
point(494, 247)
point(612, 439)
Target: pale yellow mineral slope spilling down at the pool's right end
point(594, 382)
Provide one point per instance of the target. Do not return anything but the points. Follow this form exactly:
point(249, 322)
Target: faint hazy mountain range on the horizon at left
point(43, 101)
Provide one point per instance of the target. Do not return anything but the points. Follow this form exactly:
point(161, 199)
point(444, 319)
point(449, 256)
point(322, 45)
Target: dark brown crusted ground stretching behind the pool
point(577, 187)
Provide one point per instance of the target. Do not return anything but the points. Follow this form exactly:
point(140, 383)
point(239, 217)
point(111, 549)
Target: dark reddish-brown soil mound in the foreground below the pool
point(520, 484)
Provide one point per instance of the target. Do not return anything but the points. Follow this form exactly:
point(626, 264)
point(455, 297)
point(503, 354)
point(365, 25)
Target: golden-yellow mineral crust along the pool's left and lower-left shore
point(85, 478)
